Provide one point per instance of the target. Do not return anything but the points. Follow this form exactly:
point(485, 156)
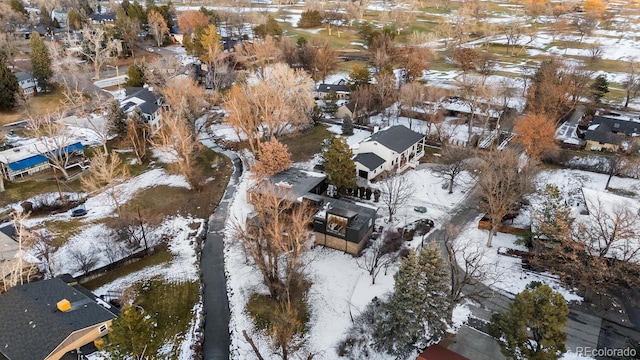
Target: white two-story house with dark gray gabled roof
point(395, 148)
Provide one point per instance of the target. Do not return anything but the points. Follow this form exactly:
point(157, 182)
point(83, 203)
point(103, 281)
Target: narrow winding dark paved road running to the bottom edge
point(216, 304)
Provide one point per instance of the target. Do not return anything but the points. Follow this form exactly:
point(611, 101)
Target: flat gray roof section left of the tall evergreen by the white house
point(292, 183)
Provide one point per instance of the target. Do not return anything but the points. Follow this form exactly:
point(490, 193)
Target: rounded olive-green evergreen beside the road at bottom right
point(533, 328)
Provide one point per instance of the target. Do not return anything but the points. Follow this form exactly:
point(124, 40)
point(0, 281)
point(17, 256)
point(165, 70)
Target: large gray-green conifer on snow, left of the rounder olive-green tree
point(413, 318)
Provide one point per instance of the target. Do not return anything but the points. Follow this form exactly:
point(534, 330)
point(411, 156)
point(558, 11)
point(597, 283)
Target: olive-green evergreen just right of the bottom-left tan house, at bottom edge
point(131, 335)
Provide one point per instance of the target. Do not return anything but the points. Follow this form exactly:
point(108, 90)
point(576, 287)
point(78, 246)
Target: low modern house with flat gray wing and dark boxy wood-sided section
point(339, 224)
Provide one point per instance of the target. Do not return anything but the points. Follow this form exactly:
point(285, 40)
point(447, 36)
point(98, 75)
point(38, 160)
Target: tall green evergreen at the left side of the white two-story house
point(339, 167)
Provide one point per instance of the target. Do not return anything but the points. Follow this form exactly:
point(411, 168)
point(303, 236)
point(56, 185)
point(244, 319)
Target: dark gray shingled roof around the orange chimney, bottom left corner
point(32, 326)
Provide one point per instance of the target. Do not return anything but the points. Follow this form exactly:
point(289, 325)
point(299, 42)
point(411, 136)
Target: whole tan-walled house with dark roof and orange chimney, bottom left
point(51, 320)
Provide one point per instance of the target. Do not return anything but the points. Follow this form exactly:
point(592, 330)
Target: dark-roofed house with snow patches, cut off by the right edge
point(609, 132)
